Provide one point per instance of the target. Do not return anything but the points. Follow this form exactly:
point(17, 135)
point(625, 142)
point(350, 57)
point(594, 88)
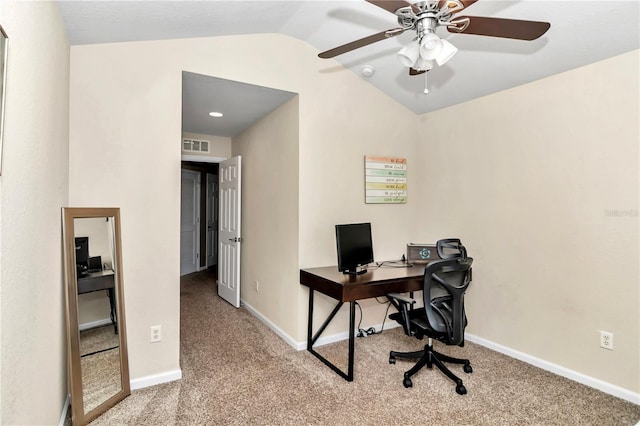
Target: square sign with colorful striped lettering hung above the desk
point(385, 180)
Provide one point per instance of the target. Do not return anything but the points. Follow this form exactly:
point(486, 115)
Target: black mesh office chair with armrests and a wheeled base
point(443, 318)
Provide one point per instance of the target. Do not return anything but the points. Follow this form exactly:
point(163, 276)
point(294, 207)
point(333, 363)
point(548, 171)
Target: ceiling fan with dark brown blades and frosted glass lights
point(424, 17)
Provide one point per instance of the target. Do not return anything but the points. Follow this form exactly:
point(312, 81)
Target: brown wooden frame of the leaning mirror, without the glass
point(69, 214)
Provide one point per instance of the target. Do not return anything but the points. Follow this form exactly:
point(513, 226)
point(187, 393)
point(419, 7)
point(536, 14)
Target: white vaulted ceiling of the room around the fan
point(582, 32)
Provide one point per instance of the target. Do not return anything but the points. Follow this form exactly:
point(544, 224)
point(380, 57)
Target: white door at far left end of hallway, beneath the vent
point(189, 220)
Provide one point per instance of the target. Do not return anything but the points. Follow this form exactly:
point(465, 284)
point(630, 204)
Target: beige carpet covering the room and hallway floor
point(236, 371)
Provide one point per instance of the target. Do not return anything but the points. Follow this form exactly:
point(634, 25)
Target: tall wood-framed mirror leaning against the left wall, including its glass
point(97, 358)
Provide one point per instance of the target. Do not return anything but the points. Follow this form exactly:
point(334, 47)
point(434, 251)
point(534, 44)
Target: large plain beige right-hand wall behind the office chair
point(531, 180)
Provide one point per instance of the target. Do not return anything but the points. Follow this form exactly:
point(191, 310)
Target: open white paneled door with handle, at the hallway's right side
point(229, 231)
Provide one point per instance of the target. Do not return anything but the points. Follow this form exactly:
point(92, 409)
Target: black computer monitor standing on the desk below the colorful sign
point(355, 247)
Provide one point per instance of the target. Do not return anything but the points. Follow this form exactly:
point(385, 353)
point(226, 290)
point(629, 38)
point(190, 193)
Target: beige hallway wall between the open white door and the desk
point(269, 151)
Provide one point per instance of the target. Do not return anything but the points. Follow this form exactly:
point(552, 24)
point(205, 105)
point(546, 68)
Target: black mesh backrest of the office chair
point(445, 282)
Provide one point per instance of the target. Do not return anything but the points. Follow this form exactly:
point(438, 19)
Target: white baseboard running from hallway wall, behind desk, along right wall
point(601, 385)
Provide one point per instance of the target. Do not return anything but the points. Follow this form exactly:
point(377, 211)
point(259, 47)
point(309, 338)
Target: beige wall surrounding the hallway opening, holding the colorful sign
point(137, 82)
